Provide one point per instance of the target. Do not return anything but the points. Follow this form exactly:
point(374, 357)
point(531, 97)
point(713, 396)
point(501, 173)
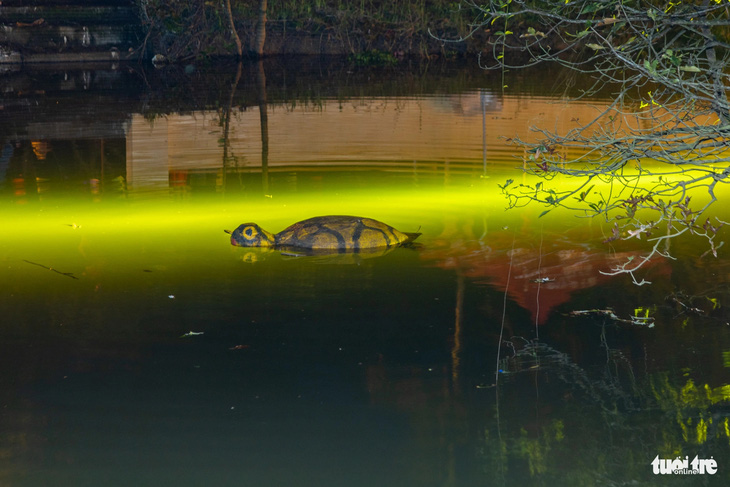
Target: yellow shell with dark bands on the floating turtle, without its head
point(341, 233)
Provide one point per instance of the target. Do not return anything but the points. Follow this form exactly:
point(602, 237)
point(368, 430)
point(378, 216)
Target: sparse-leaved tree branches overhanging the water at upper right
point(664, 136)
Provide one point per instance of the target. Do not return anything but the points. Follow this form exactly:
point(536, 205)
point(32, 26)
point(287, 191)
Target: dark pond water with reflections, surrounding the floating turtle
point(137, 347)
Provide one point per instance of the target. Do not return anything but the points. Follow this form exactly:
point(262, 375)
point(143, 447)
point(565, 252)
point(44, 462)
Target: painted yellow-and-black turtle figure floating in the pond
point(332, 233)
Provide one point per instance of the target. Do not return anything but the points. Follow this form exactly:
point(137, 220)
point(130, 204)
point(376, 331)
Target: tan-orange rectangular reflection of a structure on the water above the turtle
point(439, 134)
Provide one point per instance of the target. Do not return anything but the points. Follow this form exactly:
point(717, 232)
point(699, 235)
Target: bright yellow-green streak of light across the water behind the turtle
point(123, 233)
